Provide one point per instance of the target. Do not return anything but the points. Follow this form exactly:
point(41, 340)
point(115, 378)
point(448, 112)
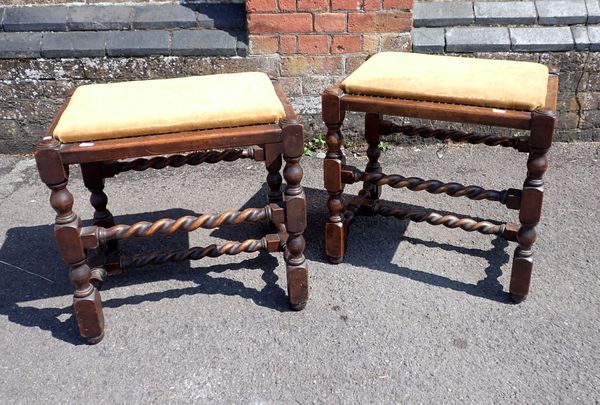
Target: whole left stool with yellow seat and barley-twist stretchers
point(212, 119)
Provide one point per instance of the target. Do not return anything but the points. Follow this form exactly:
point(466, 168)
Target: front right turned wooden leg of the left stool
point(295, 215)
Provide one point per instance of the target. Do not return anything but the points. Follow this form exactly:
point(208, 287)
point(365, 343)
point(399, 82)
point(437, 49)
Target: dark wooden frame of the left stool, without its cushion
point(271, 143)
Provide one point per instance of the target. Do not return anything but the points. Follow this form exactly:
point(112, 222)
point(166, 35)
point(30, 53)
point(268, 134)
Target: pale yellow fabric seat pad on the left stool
point(118, 110)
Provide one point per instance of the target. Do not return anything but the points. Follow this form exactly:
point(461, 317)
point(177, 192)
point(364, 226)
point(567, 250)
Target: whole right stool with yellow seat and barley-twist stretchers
point(518, 95)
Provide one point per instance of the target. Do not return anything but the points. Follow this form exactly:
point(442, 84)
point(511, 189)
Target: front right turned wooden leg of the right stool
point(531, 202)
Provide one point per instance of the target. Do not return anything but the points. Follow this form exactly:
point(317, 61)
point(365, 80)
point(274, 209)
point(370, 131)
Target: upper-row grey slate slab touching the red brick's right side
point(441, 14)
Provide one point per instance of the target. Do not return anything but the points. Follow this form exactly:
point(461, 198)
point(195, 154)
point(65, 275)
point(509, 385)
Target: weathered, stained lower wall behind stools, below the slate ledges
point(32, 89)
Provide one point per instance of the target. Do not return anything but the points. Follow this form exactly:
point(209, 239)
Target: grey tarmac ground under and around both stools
point(416, 314)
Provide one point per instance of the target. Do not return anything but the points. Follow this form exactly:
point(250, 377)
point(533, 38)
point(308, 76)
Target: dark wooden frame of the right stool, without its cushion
point(528, 201)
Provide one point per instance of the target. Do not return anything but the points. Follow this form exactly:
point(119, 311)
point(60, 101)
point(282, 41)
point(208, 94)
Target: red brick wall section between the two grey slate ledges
point(326, 27)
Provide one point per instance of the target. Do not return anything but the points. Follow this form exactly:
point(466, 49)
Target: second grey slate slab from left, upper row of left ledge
point(98, 18)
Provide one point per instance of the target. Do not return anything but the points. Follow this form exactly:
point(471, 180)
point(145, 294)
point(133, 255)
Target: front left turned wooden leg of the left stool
point(86, 302)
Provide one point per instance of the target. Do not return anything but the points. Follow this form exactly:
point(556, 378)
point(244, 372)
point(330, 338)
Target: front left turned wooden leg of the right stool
point(335, 232)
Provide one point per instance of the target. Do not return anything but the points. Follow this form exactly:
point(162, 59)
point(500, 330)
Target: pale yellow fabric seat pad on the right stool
point(448, 79)
